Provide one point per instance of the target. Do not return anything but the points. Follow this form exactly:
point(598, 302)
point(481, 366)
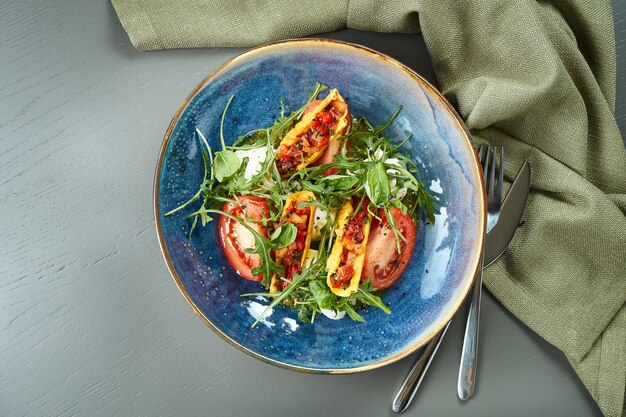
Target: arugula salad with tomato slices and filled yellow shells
point(321, 208)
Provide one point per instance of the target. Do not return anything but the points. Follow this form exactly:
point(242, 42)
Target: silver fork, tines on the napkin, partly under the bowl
point(469, 355)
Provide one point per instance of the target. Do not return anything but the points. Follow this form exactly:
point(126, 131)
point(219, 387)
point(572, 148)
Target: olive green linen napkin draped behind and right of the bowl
point(535, 77)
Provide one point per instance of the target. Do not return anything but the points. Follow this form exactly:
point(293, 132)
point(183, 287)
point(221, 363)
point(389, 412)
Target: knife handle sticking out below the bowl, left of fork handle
point(414, 378)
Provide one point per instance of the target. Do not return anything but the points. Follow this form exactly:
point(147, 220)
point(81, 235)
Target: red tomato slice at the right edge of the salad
point(383, 264)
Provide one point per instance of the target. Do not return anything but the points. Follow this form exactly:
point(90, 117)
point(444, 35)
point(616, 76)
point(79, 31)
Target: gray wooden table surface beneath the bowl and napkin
point(91, 322)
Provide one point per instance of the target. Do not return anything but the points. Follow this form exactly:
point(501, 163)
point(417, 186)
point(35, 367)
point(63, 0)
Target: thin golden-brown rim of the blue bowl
point(304, 42)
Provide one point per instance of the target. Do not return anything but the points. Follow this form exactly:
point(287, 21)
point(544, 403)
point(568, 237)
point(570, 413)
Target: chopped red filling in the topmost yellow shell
point(311, 141)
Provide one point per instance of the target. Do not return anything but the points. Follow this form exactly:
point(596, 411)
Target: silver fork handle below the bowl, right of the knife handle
point(469, 355)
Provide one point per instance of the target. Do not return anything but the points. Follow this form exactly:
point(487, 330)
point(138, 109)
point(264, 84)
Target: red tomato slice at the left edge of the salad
point(235, 238)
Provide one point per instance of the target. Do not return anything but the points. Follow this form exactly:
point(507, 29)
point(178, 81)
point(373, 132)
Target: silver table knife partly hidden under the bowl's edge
point(495, 244)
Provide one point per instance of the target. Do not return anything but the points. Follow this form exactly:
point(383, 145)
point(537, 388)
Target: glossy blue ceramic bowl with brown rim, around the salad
point(446, 254)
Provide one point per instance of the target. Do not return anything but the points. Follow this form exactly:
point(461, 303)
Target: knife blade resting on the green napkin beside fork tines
point(513, 206)
